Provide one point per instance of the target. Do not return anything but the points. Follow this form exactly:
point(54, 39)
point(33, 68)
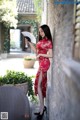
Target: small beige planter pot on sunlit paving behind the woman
point(29, 61)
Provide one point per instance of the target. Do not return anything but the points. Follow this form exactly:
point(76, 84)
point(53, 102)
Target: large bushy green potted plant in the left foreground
point(18, 79)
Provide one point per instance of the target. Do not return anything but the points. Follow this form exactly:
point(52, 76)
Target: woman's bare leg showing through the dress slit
point(41, 98)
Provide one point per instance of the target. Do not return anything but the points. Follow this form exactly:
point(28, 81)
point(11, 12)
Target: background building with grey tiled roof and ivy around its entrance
point(26, 22)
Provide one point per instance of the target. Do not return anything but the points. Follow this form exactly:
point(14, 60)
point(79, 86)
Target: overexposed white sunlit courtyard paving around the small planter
point(15, 64)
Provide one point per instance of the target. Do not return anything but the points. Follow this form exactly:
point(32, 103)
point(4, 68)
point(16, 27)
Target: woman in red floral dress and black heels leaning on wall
point(43, 51)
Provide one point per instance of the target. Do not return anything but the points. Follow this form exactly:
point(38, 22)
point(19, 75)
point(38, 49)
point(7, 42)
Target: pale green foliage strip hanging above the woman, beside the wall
point(38, 8)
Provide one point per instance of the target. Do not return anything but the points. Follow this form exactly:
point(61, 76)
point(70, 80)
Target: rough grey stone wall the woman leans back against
point(60, 20)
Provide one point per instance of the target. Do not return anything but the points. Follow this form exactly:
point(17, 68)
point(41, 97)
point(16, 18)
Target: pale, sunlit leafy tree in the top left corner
point(8, 13)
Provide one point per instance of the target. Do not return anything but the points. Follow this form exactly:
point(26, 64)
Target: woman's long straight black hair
point(47, 32)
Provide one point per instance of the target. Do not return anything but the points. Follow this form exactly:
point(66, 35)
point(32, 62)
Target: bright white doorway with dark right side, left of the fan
point(17, 41)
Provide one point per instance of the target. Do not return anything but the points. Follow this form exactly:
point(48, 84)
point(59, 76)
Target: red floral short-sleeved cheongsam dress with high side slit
point(44, 63)
